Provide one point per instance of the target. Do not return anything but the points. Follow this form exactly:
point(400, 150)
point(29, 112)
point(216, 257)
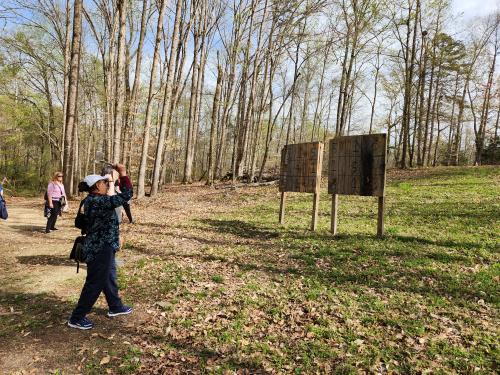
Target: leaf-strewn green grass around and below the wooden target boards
point(423, 298)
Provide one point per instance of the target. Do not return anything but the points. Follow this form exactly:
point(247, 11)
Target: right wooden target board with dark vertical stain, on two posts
point(356, 166)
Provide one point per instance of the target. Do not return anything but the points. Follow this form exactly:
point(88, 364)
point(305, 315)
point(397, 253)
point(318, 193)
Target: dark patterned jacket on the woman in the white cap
point(104, 229)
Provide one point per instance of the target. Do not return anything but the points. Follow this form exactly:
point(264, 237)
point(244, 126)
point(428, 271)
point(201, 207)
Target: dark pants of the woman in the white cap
point(101, 277)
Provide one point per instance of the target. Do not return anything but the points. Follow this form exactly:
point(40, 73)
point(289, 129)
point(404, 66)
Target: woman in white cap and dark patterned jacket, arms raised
point(101, 243)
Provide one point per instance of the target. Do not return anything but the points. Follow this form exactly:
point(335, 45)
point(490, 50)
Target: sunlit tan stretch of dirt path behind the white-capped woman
point(32, 260)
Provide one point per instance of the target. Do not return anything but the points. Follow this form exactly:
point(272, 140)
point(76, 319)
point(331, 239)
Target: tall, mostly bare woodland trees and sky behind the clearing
point(189, 90)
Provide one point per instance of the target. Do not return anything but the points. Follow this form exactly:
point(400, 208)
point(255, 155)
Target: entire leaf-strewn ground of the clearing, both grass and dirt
point(217, 284)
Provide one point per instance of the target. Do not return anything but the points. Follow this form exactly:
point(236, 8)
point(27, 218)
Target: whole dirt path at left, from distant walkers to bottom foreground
point(39, 287)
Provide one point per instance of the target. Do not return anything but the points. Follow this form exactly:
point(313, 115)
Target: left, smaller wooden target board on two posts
point(301, 172)
